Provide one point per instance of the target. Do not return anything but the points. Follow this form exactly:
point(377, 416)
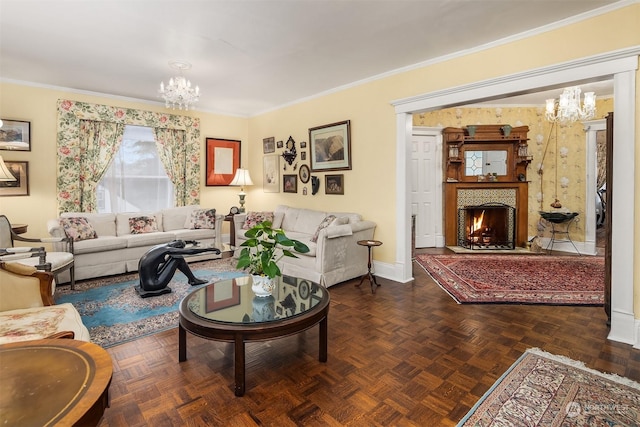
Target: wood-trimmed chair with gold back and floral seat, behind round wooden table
point(27, 309)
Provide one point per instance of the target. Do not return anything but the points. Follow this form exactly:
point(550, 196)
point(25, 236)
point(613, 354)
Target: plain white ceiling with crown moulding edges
point(251, 56)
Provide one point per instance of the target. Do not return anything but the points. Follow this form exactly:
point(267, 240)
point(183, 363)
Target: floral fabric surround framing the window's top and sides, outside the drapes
point(70, 193)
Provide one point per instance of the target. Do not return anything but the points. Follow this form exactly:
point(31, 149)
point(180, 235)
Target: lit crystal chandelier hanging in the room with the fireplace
point(568, 110)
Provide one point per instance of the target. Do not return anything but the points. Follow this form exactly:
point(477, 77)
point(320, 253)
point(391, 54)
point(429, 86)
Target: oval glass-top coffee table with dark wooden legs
point(229, 310)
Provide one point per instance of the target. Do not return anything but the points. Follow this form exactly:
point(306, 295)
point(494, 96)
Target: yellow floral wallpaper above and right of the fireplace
point(558, 153)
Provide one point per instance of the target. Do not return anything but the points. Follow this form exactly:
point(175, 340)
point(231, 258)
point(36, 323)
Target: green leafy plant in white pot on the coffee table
point(261, 252)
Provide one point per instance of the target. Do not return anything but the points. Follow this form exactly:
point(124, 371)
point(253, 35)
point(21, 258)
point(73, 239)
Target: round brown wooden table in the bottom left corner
point(53, 382)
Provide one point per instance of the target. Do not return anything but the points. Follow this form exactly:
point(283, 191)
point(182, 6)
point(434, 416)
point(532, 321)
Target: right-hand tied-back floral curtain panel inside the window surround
point(172, 151)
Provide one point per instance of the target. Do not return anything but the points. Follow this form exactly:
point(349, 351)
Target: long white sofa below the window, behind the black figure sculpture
point(115, 250)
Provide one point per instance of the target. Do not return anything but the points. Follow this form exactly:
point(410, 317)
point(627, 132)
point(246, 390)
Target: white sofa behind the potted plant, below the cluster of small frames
point(334, 257)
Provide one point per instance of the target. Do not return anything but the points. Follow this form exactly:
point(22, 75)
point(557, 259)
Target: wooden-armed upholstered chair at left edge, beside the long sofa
point(37, 256)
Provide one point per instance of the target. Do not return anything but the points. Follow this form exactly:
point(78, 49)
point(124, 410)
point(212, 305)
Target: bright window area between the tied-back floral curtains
point(136, 180)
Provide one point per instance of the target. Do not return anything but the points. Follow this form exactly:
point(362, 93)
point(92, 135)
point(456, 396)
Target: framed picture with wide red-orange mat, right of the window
point(223, 158)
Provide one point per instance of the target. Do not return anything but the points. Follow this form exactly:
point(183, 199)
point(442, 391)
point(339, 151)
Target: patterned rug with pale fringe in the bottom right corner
point(542, 389)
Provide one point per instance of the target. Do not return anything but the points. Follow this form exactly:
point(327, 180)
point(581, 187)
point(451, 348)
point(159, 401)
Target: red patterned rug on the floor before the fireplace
point(523, 279)
